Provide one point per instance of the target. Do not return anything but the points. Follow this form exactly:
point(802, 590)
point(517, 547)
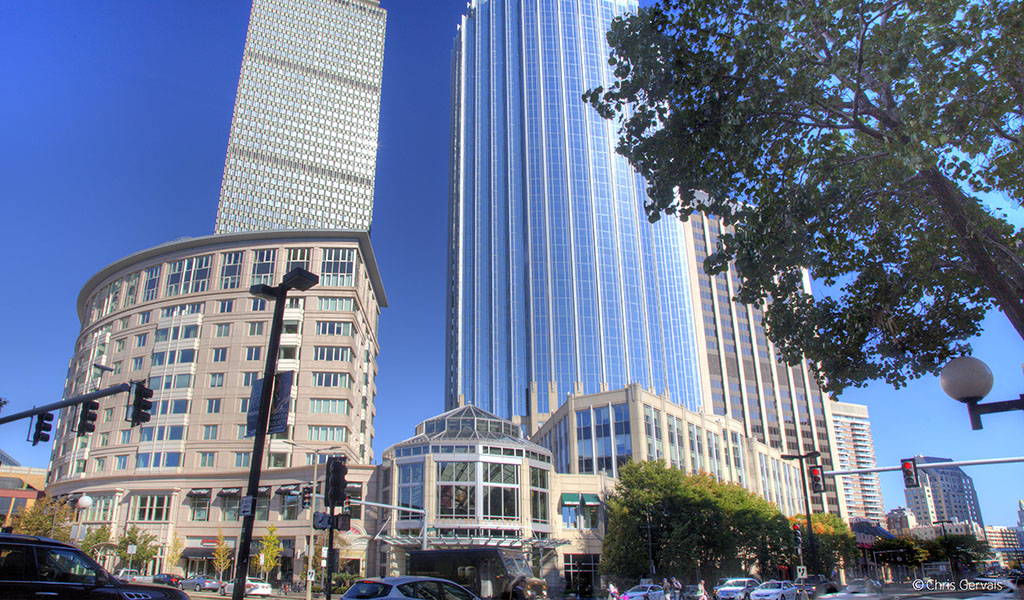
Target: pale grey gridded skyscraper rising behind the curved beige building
point(303, 152)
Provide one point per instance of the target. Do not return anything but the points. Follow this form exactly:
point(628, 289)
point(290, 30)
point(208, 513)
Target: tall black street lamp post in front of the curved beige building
point(297, 279)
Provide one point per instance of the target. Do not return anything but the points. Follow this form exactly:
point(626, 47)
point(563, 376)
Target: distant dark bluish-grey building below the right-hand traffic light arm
point(946, 495)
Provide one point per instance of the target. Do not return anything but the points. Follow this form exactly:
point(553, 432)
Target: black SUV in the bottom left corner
point(34, 568)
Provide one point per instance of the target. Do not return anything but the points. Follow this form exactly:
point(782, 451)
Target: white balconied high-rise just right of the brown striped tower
point(856, 450)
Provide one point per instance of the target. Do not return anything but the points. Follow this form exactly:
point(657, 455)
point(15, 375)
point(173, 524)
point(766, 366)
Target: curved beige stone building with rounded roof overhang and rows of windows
point(180, 317)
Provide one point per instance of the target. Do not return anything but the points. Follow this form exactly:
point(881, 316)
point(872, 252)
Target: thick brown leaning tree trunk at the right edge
point(953, 202)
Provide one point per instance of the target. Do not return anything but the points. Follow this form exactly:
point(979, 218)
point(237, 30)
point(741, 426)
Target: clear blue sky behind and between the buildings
point(114, 122)
